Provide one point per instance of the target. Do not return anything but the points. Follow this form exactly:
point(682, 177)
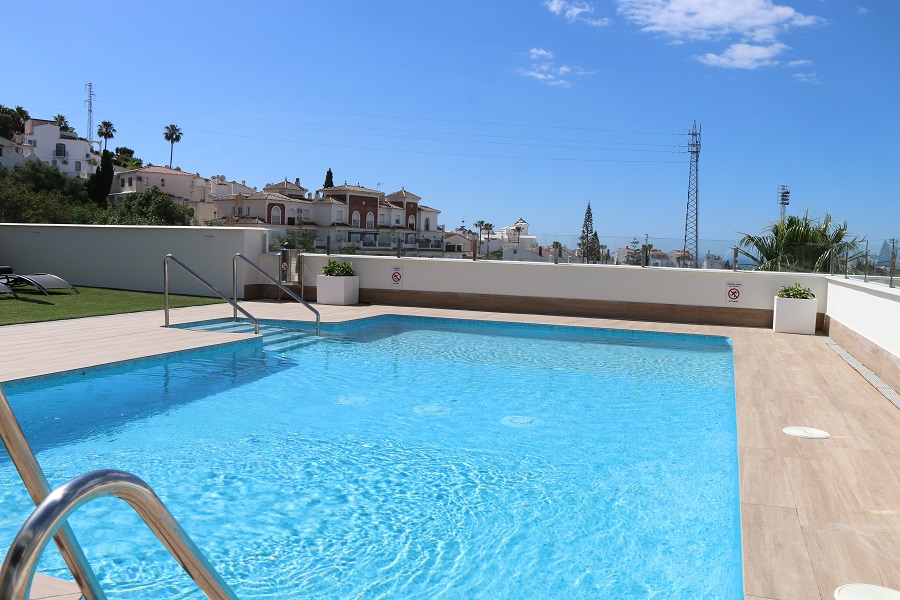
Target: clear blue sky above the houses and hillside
point(502, 109)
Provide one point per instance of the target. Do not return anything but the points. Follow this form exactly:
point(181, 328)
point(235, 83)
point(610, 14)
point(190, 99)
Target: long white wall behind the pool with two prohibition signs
point(590, 282)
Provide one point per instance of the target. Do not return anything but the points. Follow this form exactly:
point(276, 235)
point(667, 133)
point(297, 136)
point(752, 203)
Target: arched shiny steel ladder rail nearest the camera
point(21, 561)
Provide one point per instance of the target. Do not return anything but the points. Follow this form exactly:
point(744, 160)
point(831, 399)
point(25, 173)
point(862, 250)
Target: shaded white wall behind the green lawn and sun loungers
point(132, 257)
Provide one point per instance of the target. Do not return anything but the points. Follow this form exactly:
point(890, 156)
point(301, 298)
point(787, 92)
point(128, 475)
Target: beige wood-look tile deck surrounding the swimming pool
point(816, 513)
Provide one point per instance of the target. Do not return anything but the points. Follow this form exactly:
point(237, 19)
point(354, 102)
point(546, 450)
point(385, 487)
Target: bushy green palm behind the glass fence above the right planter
point(798, 243)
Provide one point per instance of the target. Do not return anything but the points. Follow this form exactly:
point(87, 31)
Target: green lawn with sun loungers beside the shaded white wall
point(32, 306)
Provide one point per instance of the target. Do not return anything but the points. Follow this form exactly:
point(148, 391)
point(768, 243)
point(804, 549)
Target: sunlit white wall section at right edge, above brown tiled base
point(871, 310)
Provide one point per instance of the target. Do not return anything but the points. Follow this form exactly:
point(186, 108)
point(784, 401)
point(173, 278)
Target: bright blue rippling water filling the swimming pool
point(409, 458)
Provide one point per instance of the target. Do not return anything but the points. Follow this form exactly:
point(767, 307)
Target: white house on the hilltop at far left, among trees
point(64, 150)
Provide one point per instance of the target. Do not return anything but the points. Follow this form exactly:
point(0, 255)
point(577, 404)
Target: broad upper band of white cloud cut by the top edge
point(757, 20)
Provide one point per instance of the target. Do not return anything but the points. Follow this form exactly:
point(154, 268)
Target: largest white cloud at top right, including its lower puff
point(753, 27)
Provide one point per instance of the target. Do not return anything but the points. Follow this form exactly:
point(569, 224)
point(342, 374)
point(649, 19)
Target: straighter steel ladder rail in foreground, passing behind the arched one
point(38, 488)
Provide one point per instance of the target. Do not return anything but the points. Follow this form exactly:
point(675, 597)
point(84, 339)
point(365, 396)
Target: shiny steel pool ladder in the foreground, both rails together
point(49, 521)
